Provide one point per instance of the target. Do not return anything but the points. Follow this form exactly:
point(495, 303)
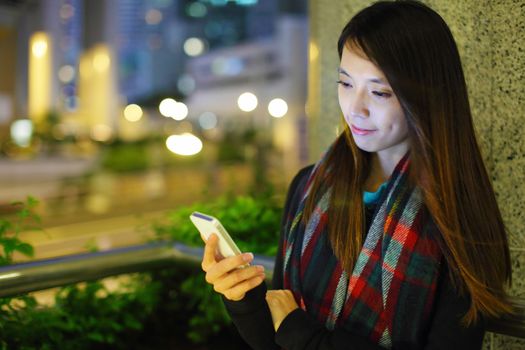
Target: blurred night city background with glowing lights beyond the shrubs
point(112, 112)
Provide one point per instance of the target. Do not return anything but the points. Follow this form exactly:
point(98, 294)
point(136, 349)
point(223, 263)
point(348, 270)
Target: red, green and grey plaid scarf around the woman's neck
point(390, 293)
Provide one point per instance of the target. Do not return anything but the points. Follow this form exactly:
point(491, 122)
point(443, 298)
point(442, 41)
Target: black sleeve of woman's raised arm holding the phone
point(251, 315)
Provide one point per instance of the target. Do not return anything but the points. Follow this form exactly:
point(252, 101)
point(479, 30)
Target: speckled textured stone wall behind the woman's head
point(490, 36)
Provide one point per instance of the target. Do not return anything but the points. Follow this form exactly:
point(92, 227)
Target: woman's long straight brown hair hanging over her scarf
point(415, 49)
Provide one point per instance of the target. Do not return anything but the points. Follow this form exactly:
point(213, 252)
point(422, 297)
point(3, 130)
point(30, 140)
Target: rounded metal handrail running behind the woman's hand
point(37, 275)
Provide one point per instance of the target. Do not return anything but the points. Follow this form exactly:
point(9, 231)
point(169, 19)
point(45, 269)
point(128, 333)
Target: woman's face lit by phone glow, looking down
point(370, 108)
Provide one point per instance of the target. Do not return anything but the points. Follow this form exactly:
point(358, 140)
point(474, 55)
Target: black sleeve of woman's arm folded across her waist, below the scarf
point(300, 331)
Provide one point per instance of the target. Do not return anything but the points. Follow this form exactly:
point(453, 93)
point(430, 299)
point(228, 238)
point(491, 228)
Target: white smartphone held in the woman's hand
point(207, 225)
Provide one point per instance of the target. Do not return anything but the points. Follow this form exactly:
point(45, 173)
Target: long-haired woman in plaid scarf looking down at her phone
point(394, 238)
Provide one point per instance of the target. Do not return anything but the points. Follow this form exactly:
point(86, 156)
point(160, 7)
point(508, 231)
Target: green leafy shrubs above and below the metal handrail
point(164, 308)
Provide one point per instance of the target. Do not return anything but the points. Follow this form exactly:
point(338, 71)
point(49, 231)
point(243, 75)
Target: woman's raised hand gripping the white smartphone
point(227, 275)
